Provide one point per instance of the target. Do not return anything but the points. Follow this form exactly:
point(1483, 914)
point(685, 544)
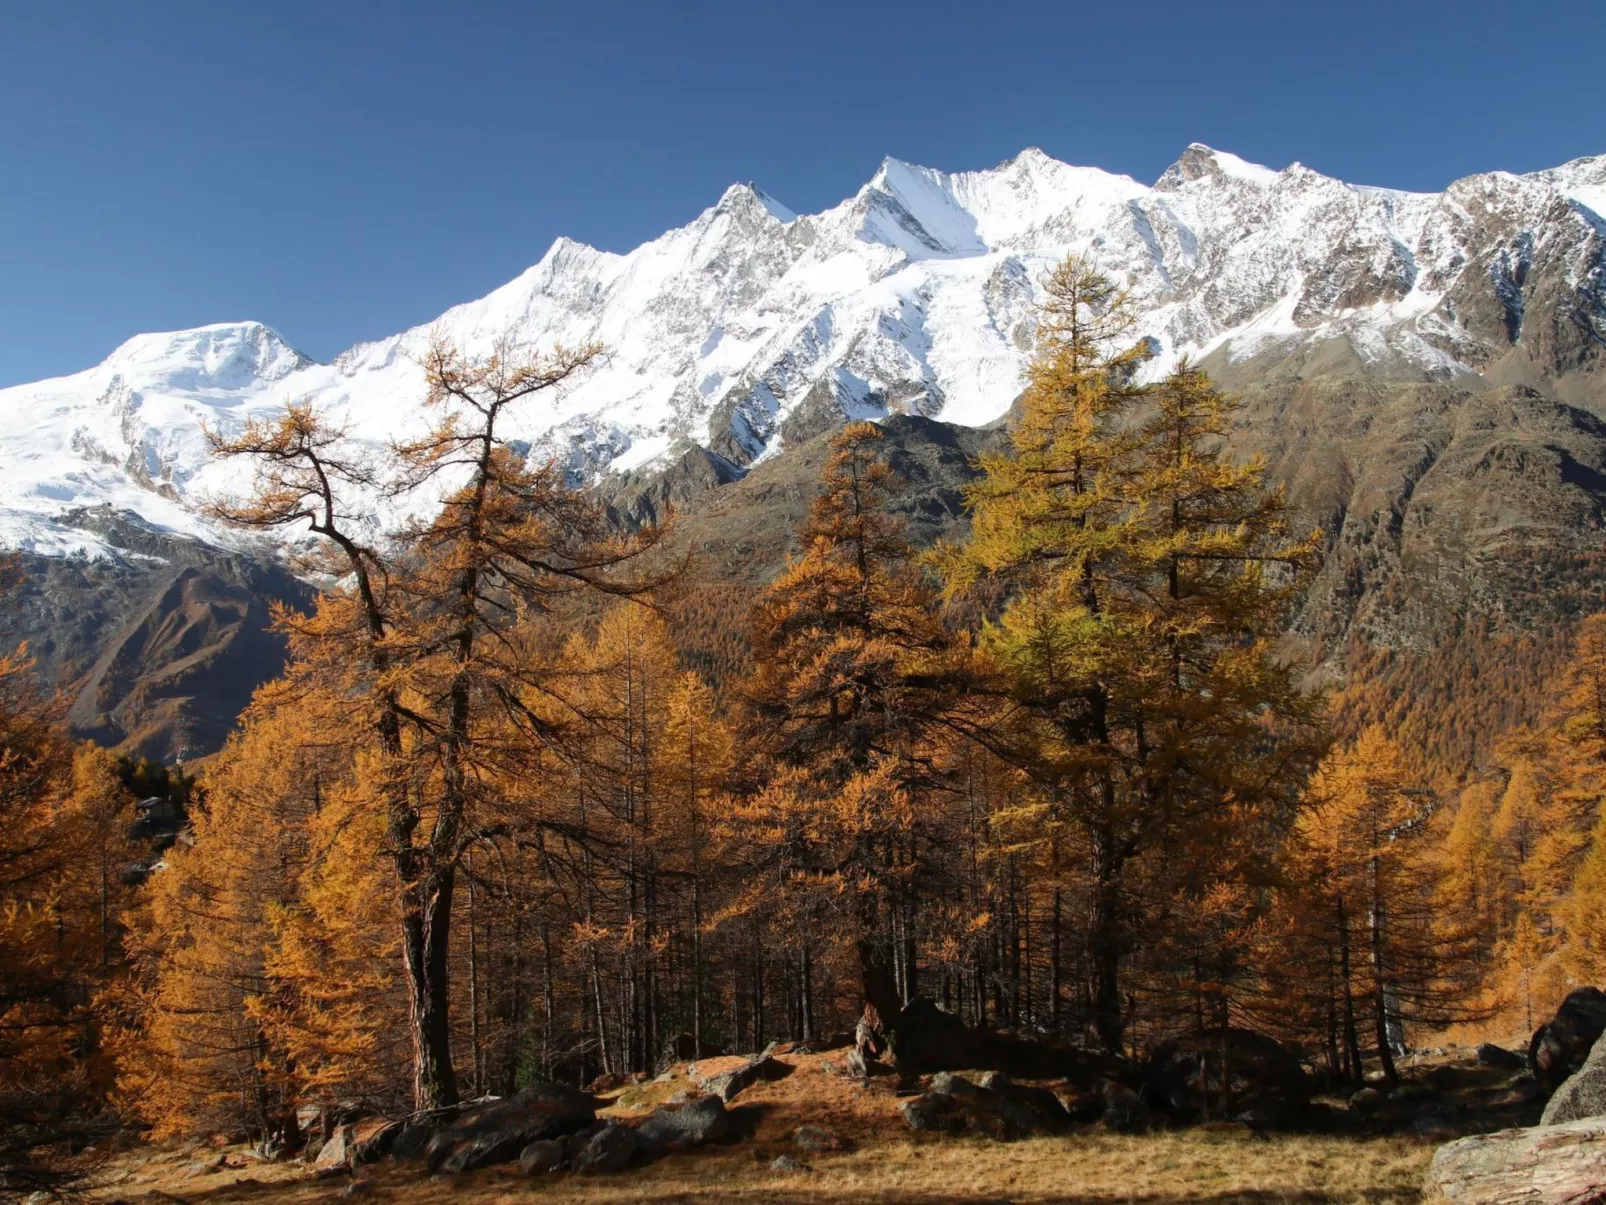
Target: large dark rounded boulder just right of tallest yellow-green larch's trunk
point(1184, 1077)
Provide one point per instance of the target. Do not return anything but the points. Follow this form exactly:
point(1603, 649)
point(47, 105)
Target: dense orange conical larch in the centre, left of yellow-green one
point(854, 676)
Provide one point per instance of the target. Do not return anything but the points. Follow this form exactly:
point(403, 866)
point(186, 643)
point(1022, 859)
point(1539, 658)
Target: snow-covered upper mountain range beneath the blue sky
point(913, 296)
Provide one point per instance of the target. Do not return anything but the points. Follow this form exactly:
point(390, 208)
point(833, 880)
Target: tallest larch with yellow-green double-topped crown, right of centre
point(1146, 576)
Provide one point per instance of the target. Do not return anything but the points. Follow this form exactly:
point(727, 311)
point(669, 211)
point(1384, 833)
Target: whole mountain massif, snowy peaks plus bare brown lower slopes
point(1425, 374)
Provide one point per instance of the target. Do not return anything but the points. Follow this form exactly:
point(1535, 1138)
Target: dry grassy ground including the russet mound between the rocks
point(1343, 1159)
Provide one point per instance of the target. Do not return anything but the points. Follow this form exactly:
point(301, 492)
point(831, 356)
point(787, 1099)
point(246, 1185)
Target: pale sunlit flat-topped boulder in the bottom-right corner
point(1543, 1166)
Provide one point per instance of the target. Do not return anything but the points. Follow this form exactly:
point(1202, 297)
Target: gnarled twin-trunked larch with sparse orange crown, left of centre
point(418, 629)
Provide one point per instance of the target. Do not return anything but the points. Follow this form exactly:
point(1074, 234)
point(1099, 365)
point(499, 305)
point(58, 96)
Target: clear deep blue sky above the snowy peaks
point(348, 170)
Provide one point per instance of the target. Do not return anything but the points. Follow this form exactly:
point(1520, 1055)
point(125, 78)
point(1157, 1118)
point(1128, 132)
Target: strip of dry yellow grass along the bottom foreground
point(1096, 1169)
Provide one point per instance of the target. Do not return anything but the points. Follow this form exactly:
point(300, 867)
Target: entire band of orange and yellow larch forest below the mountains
point(497, 825)
